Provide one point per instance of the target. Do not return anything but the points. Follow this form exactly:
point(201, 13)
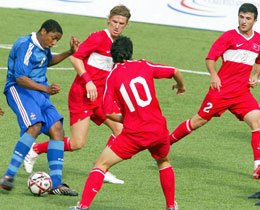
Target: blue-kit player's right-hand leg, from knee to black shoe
point(55, 156)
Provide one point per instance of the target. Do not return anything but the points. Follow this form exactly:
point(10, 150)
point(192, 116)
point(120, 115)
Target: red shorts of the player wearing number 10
point(125, 147)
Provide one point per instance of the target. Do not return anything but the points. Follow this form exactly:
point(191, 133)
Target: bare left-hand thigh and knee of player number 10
point(107, 159)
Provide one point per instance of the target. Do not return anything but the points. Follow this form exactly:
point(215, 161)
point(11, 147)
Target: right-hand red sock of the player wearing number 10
point(168, 185)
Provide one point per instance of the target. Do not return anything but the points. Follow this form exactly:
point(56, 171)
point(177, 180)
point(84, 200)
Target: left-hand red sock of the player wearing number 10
point(92, 186)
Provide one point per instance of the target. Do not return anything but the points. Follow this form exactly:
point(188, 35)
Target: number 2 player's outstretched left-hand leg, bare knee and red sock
point(186, 127)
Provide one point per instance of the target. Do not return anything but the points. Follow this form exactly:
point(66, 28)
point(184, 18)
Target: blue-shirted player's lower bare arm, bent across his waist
point(28, 83)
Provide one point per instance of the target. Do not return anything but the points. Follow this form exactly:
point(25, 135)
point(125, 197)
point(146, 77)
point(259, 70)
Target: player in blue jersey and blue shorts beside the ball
point(27, 92)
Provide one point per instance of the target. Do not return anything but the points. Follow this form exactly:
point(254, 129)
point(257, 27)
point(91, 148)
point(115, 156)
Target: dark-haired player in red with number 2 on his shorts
point(230, 87)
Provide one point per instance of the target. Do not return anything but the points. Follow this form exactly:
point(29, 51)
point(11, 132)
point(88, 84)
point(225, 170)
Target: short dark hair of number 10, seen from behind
point(122, 49)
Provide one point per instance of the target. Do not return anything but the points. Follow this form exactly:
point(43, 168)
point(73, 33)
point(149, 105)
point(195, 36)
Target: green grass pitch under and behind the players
point(213, 166)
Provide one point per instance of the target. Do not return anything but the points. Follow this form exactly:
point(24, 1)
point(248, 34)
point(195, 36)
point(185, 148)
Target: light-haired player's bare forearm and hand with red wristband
point(80, 69)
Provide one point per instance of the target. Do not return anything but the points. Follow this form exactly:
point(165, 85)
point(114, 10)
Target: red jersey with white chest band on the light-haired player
point(95, 54)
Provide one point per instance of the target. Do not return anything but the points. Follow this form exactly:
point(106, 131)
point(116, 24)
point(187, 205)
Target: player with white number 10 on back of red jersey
point(131, 82)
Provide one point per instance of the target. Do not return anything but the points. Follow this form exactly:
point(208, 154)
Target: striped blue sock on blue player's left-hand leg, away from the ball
point(20, 151)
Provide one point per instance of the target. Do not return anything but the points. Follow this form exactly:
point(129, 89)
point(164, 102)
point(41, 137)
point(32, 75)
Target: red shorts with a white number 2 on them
point(239, 106)
